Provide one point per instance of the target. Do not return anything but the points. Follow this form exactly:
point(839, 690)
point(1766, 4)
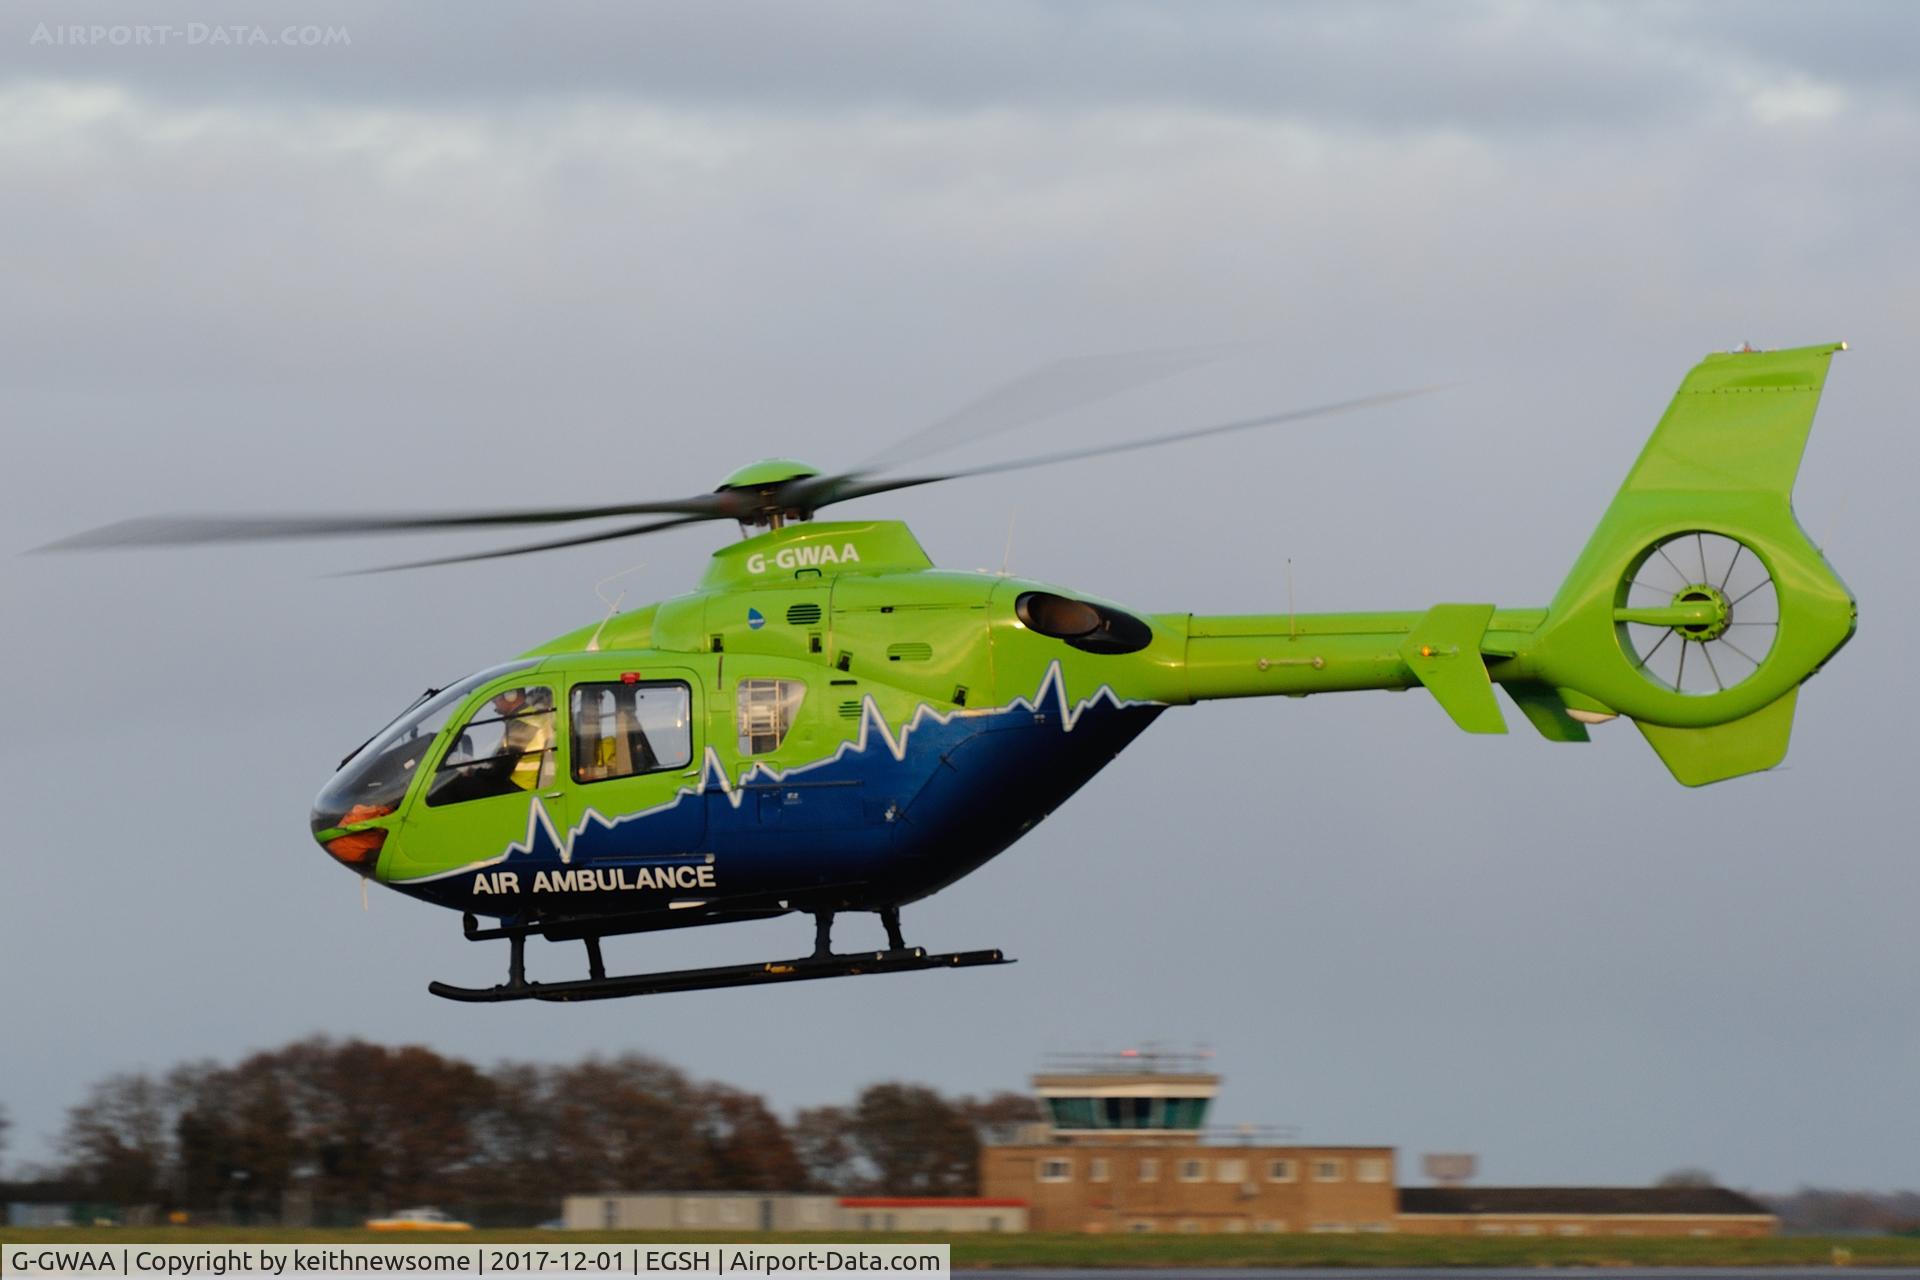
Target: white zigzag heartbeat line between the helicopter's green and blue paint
point(713, 772)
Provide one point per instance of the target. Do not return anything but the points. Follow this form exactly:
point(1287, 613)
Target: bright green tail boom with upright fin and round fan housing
point(1719, 467)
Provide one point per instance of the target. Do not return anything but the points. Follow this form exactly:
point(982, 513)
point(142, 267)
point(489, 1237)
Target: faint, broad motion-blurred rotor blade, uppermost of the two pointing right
point(1045, 392)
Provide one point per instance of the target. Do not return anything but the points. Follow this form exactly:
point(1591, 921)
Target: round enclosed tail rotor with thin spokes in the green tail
point(1698, 613)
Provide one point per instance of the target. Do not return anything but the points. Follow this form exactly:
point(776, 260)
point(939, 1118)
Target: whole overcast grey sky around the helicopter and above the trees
point(585, 254)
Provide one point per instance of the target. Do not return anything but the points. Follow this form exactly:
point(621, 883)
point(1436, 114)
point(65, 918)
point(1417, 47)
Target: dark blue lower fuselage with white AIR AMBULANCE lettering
point(886, 820)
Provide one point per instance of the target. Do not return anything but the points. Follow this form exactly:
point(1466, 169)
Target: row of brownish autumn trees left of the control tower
point(343, 1129)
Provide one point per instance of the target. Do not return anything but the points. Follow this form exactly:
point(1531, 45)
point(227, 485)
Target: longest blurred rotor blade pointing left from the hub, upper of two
point(197, 531)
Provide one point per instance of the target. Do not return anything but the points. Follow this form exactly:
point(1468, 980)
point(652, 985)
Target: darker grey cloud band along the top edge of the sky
point(1489, 66)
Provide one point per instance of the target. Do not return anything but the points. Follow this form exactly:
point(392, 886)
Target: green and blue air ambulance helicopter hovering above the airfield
point(830, 724)
